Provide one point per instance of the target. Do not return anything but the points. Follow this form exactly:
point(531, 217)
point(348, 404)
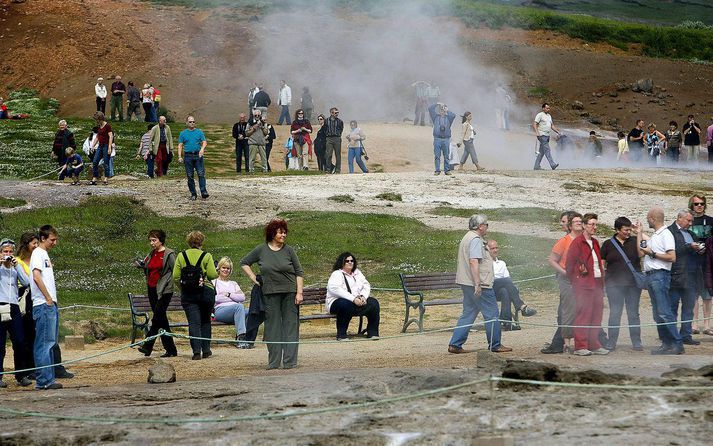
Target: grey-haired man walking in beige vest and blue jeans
point(475, 275)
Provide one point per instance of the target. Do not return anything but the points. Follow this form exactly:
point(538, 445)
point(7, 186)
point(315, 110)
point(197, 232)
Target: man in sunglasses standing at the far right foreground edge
point(702, 229)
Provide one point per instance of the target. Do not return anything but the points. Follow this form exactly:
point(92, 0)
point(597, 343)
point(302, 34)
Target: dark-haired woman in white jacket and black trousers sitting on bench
point(348, 296)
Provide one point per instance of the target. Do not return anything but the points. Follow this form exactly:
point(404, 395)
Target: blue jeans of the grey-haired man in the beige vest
point(472, 305)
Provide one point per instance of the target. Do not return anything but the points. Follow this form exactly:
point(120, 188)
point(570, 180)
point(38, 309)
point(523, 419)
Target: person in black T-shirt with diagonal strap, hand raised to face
point(620, 285)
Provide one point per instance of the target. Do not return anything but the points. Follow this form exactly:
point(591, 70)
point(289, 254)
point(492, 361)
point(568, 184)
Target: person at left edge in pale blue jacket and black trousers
point(12, 274)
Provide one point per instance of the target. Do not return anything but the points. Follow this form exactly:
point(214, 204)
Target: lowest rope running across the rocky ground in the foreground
point(349, 407)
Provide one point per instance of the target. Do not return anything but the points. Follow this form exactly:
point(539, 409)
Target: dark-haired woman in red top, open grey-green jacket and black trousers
point(158, 267)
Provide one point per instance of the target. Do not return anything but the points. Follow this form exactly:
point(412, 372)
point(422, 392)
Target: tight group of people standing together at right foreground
point(677, 270)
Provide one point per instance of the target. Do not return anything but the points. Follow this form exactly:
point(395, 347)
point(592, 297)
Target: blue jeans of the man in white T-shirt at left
point(46, 332)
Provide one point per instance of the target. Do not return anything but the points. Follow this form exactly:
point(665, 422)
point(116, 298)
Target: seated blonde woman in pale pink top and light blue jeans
point(229, 300)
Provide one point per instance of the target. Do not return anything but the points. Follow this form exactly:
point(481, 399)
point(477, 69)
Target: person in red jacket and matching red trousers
point(586, 272)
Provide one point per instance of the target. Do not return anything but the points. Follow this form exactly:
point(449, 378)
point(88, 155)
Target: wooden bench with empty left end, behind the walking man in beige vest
point(415, 284)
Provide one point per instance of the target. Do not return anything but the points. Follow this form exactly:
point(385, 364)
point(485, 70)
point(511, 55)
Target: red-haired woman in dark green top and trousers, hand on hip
point(282, 293)
